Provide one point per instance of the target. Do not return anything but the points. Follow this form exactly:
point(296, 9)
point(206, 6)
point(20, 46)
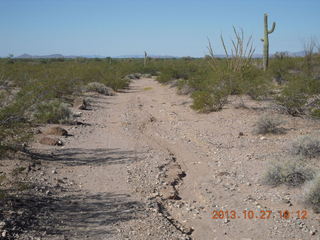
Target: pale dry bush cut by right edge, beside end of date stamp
point(312, 194)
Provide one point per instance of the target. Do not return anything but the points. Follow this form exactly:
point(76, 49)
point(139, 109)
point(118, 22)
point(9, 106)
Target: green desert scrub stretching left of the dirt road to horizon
point(39, 91)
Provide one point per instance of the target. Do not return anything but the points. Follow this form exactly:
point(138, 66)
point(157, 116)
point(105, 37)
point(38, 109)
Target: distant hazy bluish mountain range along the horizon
point(26, 56)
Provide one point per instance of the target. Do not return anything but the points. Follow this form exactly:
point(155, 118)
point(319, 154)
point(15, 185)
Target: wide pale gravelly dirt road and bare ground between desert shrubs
point(149, 167)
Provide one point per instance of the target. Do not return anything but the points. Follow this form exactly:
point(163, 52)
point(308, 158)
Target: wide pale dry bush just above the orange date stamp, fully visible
point(289, 172)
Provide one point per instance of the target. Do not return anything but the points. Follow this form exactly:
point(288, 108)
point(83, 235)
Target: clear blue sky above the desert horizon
point(165, 27)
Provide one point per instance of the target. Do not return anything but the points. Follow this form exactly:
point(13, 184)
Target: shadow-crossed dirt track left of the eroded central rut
point(96, 200)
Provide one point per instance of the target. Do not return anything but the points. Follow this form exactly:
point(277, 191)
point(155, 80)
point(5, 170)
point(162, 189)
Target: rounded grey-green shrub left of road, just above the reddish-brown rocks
point(53, 111)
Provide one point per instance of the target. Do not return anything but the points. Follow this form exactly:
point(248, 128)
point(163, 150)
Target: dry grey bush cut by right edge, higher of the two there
point(308, 146)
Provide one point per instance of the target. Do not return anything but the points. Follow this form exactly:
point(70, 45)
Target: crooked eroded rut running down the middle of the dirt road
point(170, 171)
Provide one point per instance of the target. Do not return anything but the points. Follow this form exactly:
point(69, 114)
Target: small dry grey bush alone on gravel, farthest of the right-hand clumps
point(268, 124)
